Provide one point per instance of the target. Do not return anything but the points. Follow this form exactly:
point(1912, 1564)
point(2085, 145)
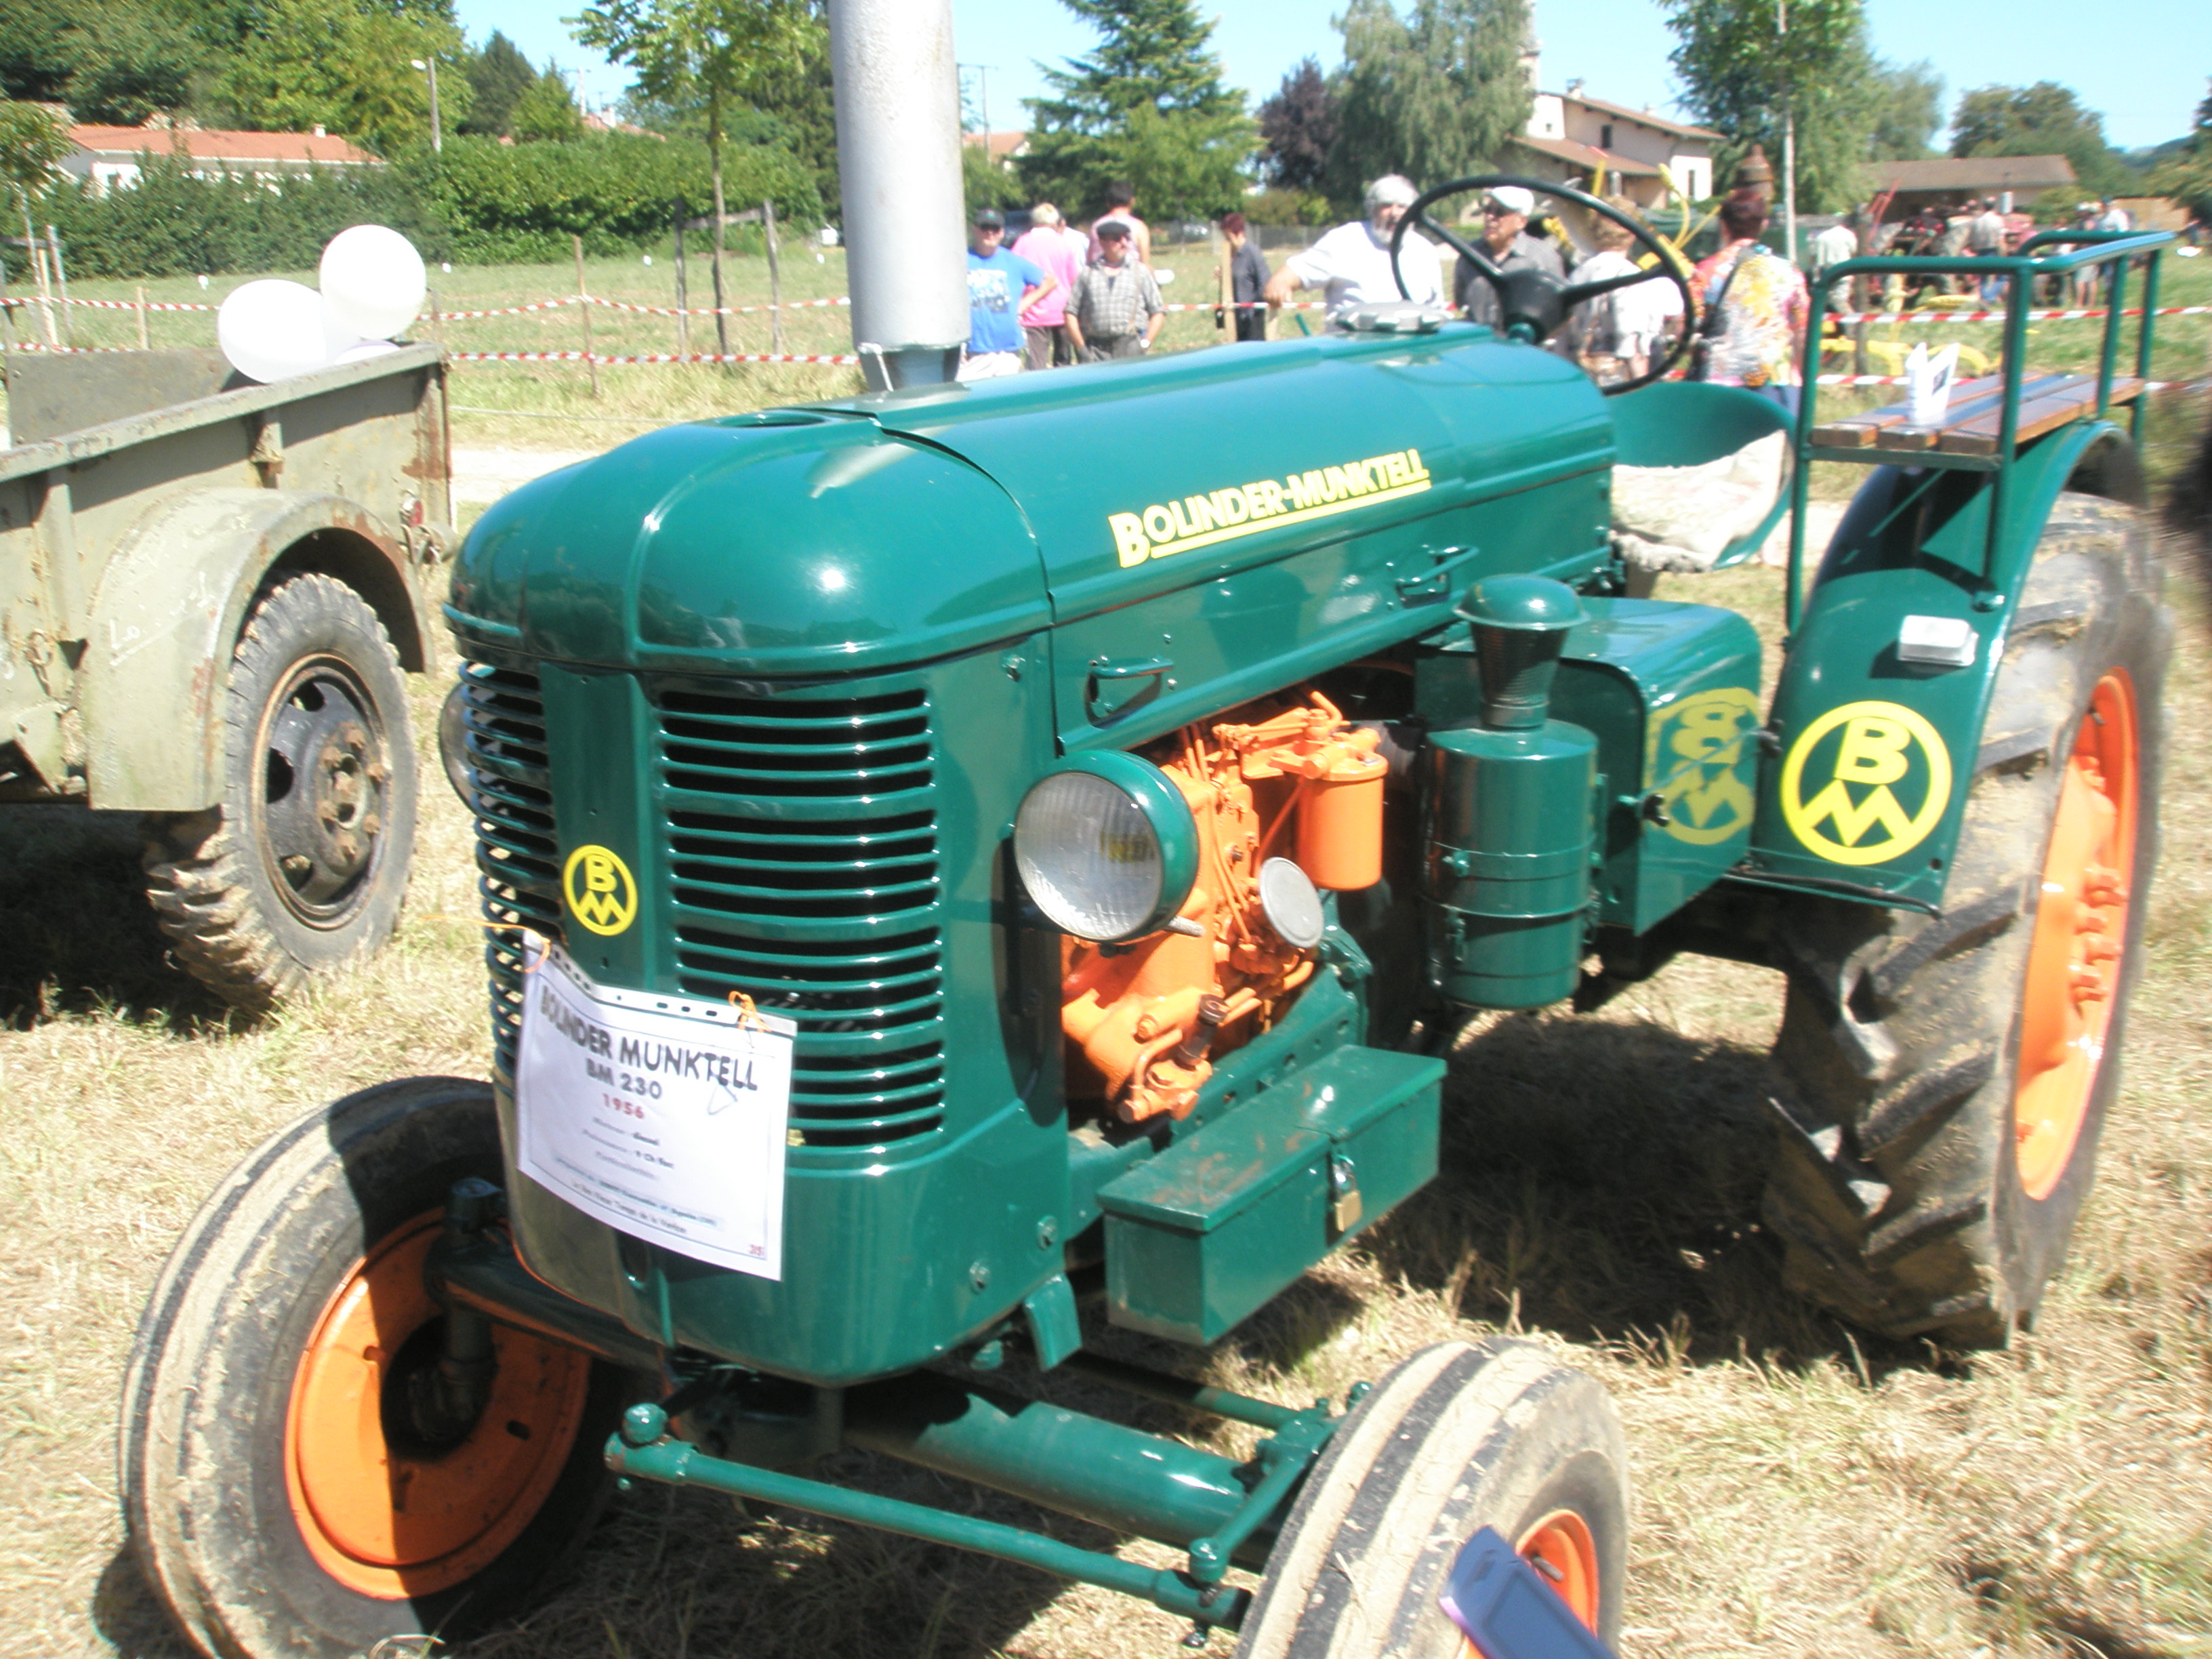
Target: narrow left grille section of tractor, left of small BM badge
point(517, 851)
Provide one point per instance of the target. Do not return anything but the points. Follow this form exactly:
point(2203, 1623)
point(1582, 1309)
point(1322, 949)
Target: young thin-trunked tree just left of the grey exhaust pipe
point(718, 50)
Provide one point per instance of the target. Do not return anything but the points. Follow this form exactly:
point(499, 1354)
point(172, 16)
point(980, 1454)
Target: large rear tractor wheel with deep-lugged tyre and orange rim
point(1952, 1074)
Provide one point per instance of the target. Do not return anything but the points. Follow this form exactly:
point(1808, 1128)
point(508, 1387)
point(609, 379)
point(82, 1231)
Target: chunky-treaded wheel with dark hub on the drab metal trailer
point(304, 864)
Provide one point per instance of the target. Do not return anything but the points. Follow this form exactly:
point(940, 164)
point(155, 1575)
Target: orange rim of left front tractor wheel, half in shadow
point(388, 1519)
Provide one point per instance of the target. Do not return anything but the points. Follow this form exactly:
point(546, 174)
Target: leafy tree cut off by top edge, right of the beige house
point(1742, 70)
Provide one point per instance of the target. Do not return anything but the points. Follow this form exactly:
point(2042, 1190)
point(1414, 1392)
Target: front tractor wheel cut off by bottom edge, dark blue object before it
point(1452, 1441)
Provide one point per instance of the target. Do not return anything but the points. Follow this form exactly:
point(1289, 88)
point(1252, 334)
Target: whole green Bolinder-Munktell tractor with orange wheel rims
point(961, 862)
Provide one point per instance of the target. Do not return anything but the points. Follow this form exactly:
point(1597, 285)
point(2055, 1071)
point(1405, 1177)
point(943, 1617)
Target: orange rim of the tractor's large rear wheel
point(2080, 939)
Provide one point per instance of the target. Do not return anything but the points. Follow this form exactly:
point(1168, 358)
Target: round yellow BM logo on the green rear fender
point(1877, 751)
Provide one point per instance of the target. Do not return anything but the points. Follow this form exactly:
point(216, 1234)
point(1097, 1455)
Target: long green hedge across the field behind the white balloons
point(481, 200)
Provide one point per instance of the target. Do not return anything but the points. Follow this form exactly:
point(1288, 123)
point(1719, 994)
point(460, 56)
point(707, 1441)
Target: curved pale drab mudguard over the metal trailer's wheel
point(169, 614)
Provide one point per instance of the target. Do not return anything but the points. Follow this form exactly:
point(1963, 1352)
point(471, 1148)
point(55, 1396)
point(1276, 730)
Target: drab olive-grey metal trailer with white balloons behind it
point(209, 594)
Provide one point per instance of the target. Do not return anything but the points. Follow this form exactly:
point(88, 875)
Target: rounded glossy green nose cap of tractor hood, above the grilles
point(782, 543)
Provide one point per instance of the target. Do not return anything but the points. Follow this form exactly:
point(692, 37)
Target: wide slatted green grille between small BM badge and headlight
point(804, 870)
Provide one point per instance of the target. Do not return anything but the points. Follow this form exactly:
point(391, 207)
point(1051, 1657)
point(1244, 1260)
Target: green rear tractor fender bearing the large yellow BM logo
point(1872, 755)
